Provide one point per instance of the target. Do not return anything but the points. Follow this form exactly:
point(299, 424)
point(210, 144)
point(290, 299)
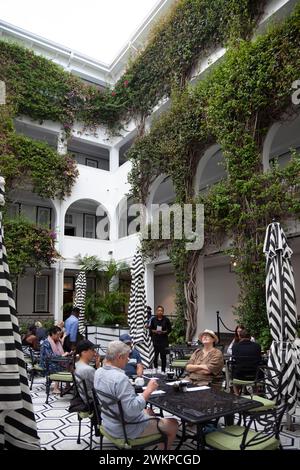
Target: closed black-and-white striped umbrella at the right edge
point(282, 312)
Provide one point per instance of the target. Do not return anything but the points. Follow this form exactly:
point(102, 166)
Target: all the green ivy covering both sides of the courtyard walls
point(234, 106)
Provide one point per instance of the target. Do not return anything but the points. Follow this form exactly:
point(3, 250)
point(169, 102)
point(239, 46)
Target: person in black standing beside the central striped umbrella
point(160, 327)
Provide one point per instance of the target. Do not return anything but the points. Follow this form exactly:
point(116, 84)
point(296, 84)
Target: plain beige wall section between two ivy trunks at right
point(221, 293)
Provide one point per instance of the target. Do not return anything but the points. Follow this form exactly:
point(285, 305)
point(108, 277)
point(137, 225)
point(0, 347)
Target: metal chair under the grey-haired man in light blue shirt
point(111, 407)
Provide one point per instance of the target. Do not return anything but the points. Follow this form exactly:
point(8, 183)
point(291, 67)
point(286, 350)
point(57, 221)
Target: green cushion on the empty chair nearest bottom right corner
point(221, 441)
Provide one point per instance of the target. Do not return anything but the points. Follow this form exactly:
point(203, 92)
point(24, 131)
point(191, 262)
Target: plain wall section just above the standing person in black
point(164, 292)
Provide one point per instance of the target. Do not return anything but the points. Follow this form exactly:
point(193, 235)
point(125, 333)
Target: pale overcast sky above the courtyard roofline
point(98, 28)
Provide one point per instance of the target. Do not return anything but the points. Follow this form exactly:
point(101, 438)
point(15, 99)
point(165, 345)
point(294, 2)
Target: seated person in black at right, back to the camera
point(247, 356)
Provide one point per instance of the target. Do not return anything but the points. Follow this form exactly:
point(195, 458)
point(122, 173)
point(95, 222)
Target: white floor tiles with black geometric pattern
point(58, 428)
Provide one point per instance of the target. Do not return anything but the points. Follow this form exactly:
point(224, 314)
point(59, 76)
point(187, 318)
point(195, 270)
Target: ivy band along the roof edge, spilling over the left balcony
point(40, 89)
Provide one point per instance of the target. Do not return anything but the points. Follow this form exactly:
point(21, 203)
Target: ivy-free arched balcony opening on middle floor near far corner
point(88, 219)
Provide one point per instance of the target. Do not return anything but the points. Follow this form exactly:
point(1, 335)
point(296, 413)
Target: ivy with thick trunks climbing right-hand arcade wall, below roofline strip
point(234, 107)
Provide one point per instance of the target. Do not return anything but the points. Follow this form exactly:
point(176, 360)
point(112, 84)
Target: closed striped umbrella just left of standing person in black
point(137, 312)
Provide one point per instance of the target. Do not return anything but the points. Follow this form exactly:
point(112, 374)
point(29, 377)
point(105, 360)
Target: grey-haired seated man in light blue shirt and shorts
point(112, 379)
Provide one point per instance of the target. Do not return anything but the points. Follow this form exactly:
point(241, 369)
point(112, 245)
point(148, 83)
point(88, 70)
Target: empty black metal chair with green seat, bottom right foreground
point(265, 436)
